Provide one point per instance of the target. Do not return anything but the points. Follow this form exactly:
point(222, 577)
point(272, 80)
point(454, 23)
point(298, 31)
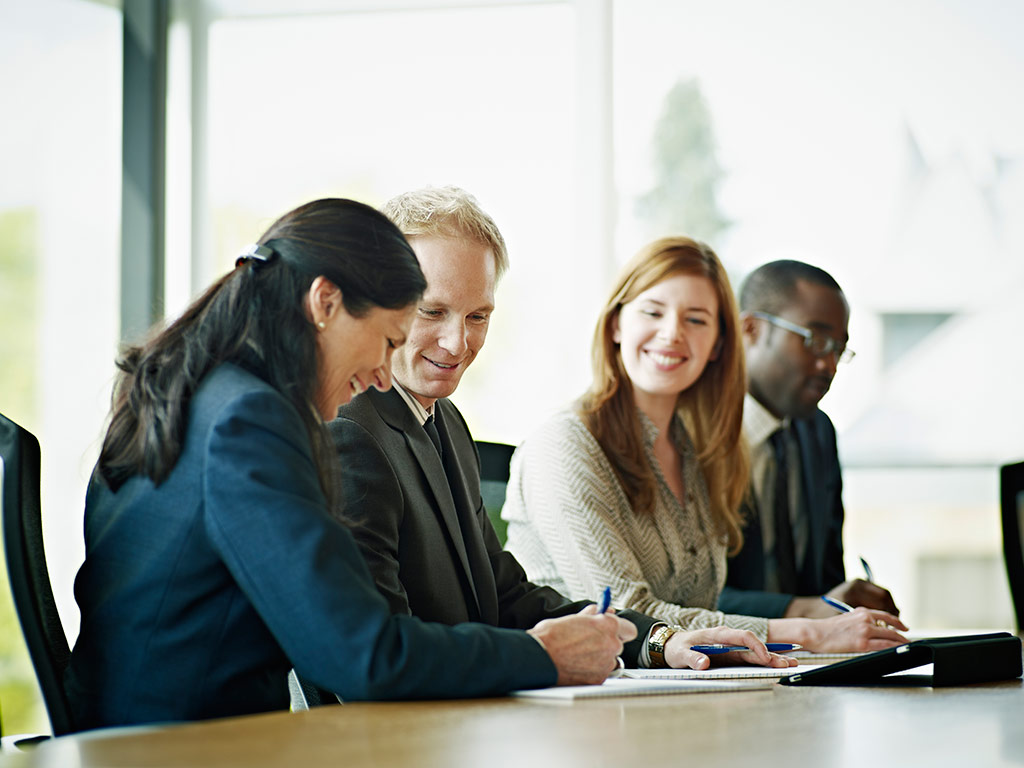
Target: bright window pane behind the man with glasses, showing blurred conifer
point(885, 143)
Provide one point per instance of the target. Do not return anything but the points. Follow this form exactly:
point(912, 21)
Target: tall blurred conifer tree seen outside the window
point(688, 173)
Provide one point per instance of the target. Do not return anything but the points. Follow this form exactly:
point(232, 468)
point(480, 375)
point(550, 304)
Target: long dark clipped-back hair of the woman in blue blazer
point(255, 317)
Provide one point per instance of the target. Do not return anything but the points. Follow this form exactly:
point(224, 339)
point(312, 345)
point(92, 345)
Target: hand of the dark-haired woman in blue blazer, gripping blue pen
point(585, 647)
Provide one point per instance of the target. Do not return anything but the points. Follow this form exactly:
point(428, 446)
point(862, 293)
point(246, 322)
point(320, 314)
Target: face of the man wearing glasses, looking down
point(784, 375)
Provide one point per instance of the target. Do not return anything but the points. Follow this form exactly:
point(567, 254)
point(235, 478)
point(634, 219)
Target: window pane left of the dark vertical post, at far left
point(60, 202)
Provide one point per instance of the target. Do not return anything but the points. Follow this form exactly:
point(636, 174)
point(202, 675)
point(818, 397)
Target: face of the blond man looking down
point(451, 322)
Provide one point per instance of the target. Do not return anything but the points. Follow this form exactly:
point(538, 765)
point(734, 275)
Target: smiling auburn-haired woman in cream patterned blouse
point(639, 486)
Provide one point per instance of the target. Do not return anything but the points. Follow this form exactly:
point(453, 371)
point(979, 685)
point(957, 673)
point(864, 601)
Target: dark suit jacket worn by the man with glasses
point(823, 568)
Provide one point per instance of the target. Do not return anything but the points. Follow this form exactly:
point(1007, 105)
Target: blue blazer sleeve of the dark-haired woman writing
point(302, 571)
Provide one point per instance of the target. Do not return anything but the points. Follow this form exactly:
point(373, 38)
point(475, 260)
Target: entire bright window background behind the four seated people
point(881, 141)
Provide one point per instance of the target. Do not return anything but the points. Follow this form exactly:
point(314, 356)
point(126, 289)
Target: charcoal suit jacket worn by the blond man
point(423, 528)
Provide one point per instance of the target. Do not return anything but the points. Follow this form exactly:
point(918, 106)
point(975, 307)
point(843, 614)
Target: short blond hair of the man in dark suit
point(448, 212)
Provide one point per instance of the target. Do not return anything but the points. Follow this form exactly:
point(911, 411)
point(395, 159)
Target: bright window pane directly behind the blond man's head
point(369, 105)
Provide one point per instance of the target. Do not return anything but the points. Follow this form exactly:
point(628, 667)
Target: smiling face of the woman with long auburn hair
point(667, 335)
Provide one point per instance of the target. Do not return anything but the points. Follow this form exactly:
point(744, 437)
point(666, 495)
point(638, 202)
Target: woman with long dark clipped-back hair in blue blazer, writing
point(214, 564)
